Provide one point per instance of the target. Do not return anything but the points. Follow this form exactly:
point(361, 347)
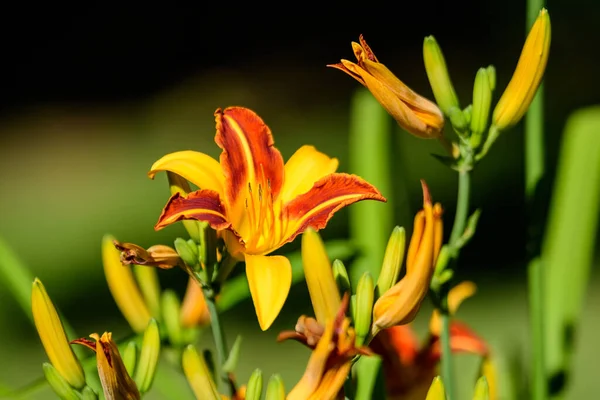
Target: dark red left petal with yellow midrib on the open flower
point(202, 205)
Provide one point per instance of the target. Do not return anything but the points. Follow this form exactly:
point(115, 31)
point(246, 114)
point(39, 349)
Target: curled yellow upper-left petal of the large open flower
point(200, 169)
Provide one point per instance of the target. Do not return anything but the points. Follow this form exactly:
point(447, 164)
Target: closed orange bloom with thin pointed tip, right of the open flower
point(400, 304)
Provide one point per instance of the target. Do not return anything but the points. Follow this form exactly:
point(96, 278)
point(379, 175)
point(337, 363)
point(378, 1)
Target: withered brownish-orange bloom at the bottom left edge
point(116, 382)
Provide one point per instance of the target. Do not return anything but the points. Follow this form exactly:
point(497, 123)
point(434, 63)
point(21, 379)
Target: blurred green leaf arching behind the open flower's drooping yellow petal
point(236, 289)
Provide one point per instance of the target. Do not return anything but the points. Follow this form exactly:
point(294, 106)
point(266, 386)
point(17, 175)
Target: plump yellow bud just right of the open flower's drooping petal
point(323, 291)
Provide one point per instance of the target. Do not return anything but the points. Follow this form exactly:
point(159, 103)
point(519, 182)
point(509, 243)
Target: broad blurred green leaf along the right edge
point(569, 241)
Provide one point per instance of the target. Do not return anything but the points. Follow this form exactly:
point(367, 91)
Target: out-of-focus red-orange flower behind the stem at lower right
point(409, 368)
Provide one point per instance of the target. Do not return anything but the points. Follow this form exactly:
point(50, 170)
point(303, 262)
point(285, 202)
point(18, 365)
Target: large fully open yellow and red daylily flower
point(260, 202)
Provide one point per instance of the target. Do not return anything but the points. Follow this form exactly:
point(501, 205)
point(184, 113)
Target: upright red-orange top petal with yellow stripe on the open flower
point(249, 159)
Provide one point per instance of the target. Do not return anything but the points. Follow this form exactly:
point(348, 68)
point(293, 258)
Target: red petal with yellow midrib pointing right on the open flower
point(331, 193)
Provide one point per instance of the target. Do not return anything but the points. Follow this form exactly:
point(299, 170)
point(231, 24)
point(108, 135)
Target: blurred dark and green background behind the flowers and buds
point(91, 96)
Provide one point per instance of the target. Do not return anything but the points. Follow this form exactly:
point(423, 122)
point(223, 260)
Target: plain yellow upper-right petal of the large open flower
point(306, 166)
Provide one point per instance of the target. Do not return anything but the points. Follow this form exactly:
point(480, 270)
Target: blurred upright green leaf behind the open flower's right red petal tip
point(369, 147)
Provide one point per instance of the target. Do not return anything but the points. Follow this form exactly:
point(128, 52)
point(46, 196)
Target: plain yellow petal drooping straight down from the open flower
point(269, 279)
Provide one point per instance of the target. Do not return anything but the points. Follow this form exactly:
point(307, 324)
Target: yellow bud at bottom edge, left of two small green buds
point(198, 375)
